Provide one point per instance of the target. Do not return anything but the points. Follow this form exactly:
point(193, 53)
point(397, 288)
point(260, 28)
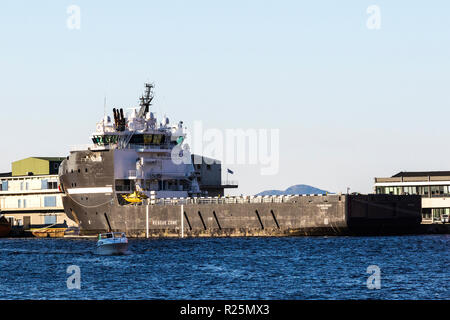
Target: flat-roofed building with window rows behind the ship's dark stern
point(433, 186)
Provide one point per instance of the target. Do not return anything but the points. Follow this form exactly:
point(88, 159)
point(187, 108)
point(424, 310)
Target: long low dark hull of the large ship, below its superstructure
point(300, 216)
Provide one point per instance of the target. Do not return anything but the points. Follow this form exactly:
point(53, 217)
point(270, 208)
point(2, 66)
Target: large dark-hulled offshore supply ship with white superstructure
point(139, 177)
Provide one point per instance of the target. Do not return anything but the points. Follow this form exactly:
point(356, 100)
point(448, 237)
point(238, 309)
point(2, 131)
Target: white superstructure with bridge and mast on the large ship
point(151, 155)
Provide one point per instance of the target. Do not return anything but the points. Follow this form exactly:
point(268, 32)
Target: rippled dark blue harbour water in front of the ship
point(412, 267)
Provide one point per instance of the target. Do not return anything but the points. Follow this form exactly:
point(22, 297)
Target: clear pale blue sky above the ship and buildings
point(351, 103)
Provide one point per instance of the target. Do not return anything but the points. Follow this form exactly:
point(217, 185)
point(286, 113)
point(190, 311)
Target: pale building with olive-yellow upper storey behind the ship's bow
point(29, 195)
